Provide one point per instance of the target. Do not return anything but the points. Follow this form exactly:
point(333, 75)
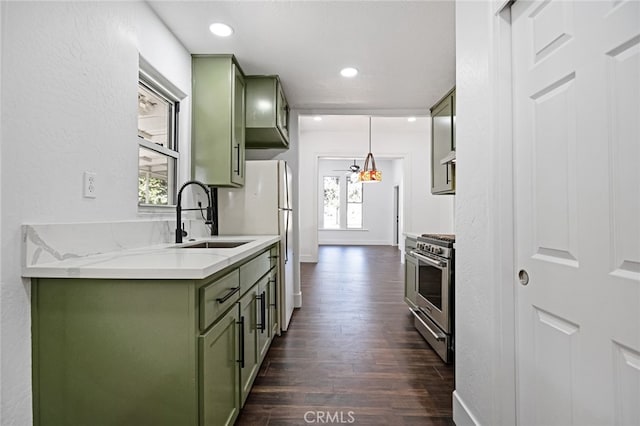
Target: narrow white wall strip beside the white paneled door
point(485, 378)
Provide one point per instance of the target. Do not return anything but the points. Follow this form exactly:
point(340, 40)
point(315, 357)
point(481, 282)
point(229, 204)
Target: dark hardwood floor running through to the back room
point(351, 354)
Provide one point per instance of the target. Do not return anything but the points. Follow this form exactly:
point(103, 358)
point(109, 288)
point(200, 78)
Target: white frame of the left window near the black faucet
point(173, 140)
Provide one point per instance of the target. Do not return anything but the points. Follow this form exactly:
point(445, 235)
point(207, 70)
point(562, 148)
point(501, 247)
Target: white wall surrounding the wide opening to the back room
point(392, 137)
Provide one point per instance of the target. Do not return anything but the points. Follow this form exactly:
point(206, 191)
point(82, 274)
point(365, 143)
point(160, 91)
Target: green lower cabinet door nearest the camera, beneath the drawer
point(220, 372)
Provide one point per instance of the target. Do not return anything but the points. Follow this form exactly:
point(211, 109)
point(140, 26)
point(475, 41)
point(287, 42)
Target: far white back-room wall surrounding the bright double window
point(377, 226)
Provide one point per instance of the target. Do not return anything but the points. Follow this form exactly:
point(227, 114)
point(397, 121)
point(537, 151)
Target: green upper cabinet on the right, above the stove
point(443, 145)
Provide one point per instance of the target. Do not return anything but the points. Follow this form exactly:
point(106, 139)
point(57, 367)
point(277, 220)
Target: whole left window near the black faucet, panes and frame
point(157, 144)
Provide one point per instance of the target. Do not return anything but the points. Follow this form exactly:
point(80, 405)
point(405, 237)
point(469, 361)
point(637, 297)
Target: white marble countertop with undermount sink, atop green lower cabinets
point(159, 261)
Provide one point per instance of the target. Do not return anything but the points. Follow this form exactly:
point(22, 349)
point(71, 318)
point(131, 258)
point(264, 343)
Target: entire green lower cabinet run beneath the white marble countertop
point(148, 352)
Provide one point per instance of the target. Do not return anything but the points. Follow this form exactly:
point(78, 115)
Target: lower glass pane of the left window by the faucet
point(155, 176)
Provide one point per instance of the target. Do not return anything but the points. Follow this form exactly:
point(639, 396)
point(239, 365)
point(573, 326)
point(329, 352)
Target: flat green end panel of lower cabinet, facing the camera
point(114, 352)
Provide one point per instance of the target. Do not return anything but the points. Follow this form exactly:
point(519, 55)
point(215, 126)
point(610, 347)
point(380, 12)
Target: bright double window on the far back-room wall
point(342, 203)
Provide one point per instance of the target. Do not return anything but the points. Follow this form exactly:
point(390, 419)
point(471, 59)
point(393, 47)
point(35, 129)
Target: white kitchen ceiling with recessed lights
point(404, 50)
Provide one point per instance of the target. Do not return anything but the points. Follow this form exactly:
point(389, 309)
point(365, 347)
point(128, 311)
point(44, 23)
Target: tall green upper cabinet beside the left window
point(218, 137)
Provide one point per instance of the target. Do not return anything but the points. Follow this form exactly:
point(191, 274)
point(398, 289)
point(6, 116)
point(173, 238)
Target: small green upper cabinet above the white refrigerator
point(267, 113)
